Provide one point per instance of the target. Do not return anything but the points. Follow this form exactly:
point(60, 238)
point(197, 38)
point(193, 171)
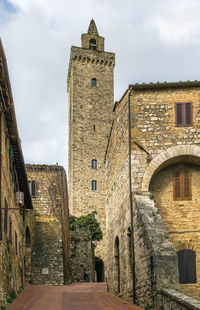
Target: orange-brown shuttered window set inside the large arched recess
point(182, 184)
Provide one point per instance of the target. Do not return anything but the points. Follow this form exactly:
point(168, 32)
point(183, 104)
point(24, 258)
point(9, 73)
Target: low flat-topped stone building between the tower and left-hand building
point(50, 206)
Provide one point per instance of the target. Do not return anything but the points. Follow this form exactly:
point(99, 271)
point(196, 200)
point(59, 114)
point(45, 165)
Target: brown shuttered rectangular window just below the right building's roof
point(183, 114)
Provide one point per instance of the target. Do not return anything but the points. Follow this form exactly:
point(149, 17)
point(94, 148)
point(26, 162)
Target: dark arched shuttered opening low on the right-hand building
point(187, 266)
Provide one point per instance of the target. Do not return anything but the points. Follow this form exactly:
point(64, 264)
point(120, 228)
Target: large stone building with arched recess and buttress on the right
point(153, 157)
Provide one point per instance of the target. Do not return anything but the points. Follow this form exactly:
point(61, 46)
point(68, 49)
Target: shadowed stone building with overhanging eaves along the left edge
point(15, 202)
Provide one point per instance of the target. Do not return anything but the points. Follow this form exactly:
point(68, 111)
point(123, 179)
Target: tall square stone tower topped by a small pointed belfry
point(90, 89)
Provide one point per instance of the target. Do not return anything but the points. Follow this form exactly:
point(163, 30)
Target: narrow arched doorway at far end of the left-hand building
point(27, 258)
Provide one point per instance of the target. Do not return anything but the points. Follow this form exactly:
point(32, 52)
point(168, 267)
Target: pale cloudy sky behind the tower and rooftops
point(154, 40)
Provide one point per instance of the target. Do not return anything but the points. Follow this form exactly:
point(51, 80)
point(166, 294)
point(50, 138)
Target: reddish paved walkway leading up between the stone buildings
point(81, 296)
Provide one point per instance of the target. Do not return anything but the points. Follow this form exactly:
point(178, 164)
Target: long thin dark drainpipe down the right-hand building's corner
point(131, 199)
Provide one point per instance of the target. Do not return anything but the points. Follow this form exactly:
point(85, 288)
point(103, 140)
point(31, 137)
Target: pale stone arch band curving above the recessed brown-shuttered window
point(167, 156)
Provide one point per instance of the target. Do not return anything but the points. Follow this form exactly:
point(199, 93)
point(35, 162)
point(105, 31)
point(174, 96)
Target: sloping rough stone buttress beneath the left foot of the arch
point(156, 264)
